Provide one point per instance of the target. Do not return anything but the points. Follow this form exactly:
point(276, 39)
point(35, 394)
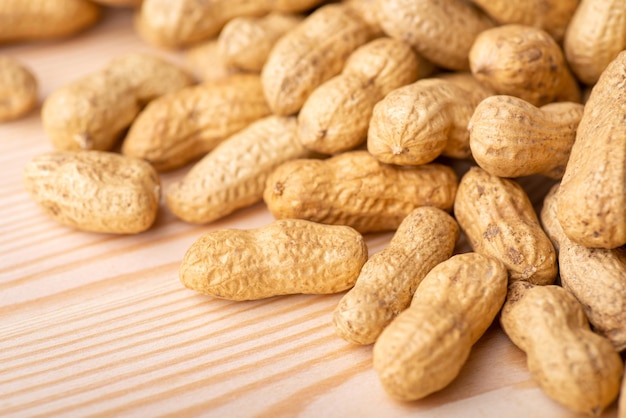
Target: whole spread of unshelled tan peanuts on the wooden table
point(343, 117)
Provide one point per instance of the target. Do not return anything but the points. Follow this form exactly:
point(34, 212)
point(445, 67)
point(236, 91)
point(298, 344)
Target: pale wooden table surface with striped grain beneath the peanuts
point(99, 325)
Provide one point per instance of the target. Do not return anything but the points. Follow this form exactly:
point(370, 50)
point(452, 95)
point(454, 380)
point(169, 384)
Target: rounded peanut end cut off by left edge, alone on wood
point(19, 89)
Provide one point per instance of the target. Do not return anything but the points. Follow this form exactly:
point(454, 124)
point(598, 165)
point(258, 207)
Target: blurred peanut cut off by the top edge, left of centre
point(180, 23)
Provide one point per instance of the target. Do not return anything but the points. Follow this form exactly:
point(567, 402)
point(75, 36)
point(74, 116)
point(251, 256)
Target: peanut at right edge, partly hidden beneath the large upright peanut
point(595, 276)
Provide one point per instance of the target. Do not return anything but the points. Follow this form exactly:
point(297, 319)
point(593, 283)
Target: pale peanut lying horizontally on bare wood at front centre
point(285, 257)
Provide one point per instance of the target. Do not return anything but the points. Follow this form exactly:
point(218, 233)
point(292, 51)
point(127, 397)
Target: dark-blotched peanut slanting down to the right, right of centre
point(499, 221)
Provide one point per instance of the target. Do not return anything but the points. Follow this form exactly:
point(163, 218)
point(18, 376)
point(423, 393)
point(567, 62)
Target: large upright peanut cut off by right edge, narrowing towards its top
point(592, 196)
